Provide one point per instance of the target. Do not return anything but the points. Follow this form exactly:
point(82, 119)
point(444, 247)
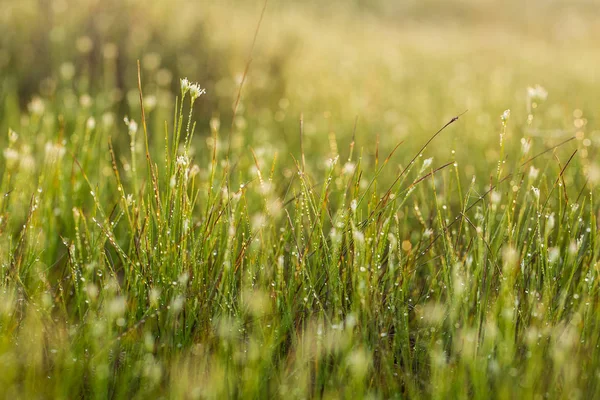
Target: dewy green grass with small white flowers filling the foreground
point(162, 269)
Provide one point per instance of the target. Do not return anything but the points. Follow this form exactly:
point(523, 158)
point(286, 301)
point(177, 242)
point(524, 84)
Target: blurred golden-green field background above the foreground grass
point(400, 68)
